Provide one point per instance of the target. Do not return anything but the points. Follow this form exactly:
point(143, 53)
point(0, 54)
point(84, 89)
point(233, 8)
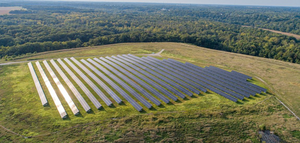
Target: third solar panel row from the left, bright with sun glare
point(62, 89)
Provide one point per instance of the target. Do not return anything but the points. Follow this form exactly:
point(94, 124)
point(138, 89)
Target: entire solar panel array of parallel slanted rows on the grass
point(142, 82)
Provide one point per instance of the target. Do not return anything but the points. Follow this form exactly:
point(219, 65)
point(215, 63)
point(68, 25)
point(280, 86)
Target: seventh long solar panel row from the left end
point(99, 82)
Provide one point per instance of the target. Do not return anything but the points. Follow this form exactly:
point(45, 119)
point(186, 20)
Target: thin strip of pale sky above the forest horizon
point(294, 3)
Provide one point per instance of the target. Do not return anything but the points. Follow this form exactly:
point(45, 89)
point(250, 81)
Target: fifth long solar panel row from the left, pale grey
point(81, 85)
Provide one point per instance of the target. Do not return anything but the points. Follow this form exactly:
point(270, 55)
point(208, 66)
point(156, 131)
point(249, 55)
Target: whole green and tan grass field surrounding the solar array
point(206, 117)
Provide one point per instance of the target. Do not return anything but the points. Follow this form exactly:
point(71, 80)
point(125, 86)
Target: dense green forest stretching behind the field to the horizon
point(46, 26)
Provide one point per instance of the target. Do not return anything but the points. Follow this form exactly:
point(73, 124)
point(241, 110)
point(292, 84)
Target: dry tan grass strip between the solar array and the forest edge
point(283, 77)
